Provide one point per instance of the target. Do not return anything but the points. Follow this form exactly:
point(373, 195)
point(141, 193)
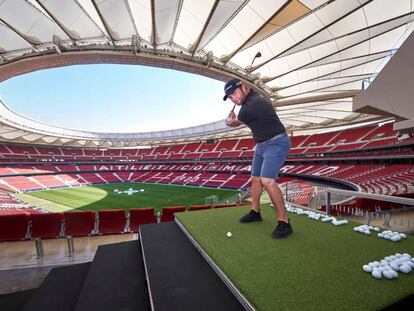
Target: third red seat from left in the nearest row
point(79, 223)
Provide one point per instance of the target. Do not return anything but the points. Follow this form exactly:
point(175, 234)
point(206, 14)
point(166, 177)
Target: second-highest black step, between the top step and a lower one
point(116, 280)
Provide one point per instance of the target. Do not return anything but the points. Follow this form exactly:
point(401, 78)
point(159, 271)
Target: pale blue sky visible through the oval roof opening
point(116, 98)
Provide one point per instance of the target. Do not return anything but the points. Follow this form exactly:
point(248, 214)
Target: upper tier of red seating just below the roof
point(338, 141)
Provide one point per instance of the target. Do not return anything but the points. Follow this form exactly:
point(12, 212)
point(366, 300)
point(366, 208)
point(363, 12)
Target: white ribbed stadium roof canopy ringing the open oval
point(315, 55)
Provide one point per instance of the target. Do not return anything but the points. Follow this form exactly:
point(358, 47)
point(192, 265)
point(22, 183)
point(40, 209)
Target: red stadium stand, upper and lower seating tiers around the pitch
point(224, 163)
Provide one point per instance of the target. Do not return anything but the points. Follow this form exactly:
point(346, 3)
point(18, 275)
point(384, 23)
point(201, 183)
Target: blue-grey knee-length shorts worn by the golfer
point(270, 155)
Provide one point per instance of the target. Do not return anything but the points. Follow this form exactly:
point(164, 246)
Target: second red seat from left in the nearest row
point(46, 225)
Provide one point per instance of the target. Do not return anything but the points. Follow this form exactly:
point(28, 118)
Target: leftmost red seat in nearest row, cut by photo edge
point(13, 227)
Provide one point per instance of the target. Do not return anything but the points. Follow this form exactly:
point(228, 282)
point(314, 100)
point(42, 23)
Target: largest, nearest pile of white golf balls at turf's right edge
point(390, 266)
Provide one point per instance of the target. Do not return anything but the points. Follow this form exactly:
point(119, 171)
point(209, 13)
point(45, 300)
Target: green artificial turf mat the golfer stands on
point(319, 267)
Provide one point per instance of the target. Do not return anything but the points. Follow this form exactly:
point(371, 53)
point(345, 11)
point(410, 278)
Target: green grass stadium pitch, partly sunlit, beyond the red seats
point(101, 197)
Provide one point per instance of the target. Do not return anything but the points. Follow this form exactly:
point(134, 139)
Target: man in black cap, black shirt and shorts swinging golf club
point(272, 148)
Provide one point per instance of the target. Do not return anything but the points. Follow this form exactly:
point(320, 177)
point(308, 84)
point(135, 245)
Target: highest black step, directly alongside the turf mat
point(178, 276)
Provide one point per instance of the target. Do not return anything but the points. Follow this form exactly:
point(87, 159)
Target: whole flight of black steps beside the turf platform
point(160, 271)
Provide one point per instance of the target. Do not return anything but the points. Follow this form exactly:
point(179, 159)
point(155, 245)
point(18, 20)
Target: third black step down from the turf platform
point(60, 289)
